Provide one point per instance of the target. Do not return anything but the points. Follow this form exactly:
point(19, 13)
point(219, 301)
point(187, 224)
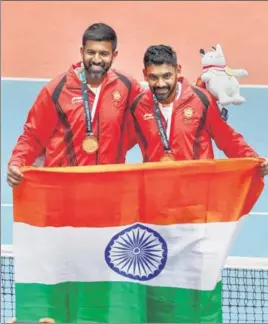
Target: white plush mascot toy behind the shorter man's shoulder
point(220, 80)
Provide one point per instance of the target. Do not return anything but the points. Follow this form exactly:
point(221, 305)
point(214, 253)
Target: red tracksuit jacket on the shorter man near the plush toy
point(195, 122)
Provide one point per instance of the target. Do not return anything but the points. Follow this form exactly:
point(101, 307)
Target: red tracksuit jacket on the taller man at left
point(56, 123)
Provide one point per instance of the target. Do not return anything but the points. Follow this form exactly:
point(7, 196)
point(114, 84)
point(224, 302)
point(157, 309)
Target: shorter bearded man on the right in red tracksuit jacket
point(177, 121)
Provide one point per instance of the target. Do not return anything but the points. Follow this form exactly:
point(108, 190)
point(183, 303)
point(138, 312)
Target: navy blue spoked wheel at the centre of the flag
point(138, 252)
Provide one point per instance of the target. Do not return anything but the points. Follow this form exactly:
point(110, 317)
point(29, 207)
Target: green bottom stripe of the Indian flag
point(117, 302)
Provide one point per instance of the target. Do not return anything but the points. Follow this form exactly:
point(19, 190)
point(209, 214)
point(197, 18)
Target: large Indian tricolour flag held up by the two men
point(128, 243)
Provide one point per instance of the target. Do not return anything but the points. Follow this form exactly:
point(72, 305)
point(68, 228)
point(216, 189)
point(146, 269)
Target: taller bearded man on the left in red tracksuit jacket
point(81, 117)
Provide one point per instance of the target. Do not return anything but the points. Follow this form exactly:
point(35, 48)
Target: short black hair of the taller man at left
point(100, 32)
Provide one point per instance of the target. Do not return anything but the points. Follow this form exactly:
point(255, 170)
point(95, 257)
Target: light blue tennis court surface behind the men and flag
point(251, 119)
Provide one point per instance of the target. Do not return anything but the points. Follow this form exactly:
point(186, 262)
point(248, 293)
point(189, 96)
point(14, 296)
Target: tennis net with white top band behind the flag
point(244, 298)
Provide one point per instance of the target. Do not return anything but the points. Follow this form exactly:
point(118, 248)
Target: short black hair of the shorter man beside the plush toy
point(160, 54)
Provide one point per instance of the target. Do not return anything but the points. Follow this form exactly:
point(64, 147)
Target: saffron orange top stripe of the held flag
point(186, 192)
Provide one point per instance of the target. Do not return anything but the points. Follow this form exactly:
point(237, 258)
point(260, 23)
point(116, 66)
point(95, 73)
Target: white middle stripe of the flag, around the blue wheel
point(196, 254)
